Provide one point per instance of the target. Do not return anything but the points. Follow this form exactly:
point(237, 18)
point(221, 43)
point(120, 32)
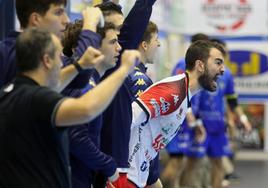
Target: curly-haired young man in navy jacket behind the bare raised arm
point(85, 155)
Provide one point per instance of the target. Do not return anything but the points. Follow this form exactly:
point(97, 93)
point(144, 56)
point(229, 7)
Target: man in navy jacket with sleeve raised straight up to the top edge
point(117, 118)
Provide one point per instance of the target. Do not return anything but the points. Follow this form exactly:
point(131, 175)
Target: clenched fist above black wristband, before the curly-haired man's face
point(90, 58)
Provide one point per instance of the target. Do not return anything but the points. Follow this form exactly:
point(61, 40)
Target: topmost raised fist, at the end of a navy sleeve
point(92, 16)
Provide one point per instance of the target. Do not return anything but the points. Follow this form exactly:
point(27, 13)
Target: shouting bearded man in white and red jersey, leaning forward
point(159, 111)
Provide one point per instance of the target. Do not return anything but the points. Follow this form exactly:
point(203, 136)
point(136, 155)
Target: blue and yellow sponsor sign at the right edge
point(250, 69)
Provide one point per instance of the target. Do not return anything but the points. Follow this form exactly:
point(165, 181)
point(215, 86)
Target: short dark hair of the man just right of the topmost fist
point(109, 8)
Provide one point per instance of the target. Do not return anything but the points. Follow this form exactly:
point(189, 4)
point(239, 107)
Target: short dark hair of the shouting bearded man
point(200, 50)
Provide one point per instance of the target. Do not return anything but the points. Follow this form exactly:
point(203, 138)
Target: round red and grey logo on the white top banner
point(226, 15)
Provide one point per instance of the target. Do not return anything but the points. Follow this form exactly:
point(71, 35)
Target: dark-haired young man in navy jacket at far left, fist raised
point(50, 15)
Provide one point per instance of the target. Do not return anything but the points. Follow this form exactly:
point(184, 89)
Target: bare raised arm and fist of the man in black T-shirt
point(90, 105)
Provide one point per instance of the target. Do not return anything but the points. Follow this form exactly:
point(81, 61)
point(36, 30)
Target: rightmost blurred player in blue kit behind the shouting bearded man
point(210, 108)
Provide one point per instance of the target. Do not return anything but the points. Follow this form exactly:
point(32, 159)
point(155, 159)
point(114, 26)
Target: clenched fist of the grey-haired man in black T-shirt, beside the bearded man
point(129, 58)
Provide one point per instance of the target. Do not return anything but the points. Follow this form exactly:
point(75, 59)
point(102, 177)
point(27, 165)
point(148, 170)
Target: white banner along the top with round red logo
point(213, 17)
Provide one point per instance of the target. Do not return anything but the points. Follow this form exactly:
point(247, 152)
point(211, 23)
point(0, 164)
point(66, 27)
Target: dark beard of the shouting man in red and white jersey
point(207, 81)
